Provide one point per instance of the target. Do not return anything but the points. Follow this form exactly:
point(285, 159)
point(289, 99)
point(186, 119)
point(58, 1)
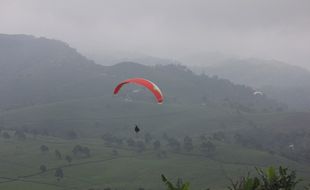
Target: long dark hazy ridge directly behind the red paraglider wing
point(39, 70)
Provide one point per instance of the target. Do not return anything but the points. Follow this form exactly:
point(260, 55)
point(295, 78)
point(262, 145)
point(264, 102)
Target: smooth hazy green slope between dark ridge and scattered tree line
point(95, 116)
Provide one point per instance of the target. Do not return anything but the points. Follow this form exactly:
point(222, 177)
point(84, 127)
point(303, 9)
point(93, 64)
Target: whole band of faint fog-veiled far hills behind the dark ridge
point(278, 80)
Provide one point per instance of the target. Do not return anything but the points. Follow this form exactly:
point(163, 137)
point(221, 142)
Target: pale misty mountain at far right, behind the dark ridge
point(281, 81)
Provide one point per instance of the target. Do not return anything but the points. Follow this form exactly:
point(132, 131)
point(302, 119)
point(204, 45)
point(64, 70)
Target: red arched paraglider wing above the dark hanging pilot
point(143, 82)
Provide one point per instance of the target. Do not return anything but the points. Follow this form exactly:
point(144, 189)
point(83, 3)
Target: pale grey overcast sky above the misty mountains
point(270, 29)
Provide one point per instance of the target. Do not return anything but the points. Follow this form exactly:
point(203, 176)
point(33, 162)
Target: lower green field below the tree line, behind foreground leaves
point(129, 169)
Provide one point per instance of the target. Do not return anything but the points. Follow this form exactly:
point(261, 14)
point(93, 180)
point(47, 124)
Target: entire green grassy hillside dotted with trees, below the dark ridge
point(243, 141)
